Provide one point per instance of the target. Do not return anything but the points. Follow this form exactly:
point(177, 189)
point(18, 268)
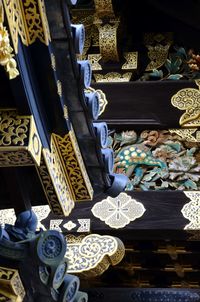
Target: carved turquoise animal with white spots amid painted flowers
point(131, 159)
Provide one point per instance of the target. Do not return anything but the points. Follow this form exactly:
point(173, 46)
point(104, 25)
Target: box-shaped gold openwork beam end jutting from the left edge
point(19, 141)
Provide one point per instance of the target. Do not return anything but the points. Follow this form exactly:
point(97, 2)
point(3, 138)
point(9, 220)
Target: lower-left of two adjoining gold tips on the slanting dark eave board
point(54, 182)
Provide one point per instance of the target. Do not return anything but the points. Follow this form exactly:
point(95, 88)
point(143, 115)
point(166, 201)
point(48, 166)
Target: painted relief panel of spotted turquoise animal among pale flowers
point(158, 160)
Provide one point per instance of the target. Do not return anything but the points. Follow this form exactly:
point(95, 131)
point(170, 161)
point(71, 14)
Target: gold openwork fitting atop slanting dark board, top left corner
point(28, 20)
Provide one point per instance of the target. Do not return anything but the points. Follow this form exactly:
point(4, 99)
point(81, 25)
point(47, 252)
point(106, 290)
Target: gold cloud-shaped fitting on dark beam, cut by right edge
point(188, 99)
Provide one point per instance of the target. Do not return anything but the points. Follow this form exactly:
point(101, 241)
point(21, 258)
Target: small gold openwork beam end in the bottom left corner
point(11, 286)
